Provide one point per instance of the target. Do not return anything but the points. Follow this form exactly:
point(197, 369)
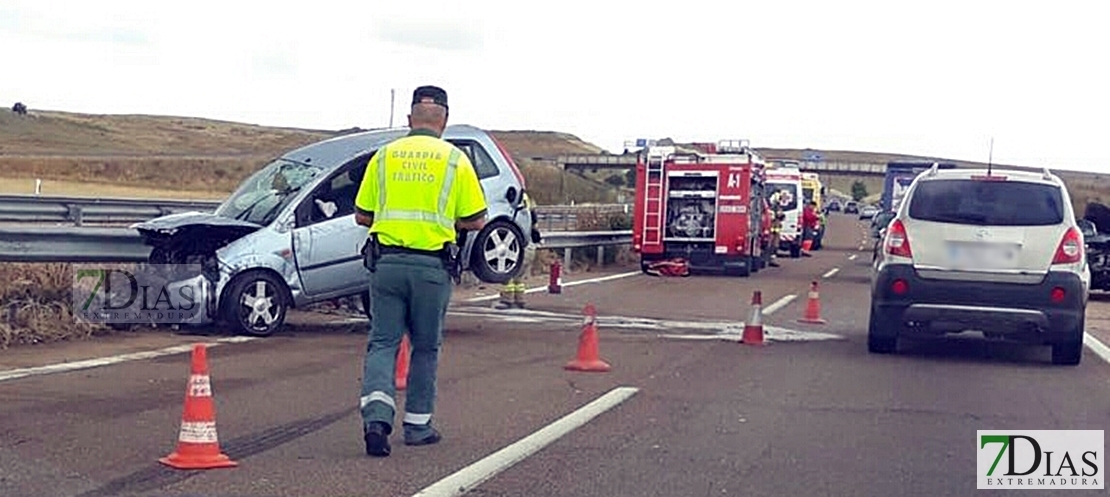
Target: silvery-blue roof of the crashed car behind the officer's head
point(334, 153)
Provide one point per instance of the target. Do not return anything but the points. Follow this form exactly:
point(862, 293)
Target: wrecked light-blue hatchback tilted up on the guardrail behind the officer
point(287, 238)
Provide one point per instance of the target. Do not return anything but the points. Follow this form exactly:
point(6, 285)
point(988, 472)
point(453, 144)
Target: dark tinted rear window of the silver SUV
point(992, 204)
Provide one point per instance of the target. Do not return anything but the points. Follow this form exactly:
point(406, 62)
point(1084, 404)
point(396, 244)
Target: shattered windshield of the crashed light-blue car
point(267, 192)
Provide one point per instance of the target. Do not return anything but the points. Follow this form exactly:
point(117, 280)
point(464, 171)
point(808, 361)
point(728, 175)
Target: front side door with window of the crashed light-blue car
point(327, 241)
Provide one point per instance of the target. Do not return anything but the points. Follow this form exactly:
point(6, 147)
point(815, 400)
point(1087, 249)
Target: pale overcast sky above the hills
point(936, 78)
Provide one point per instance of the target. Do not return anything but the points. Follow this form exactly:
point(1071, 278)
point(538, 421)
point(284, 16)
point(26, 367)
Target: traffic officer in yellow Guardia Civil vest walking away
point(418, 192)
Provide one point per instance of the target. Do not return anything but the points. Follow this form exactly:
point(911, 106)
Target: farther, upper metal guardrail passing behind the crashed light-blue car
point(80, 211)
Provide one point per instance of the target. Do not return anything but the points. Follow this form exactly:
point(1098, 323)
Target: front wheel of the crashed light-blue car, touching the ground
point(256, 305)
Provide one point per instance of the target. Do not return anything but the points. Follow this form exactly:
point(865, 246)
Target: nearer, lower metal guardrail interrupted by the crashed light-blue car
point(86, 245)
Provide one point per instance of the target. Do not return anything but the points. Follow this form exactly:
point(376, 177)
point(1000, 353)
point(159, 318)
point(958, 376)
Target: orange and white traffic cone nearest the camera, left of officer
point(198, 445)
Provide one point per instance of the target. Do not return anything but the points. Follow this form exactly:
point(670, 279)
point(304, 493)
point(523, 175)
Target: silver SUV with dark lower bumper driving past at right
point(995, 251)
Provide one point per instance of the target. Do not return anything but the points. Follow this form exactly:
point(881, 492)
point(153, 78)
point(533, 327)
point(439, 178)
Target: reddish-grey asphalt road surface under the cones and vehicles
point(809, 414)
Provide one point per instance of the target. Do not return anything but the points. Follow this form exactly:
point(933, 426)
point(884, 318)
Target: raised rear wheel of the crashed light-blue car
point(498, 255)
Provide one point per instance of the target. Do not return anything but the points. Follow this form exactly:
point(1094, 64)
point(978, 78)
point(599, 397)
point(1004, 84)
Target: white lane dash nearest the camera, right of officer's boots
point(470, 478)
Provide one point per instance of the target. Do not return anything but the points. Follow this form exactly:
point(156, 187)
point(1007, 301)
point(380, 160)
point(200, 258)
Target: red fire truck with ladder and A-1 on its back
point(704, 207)
